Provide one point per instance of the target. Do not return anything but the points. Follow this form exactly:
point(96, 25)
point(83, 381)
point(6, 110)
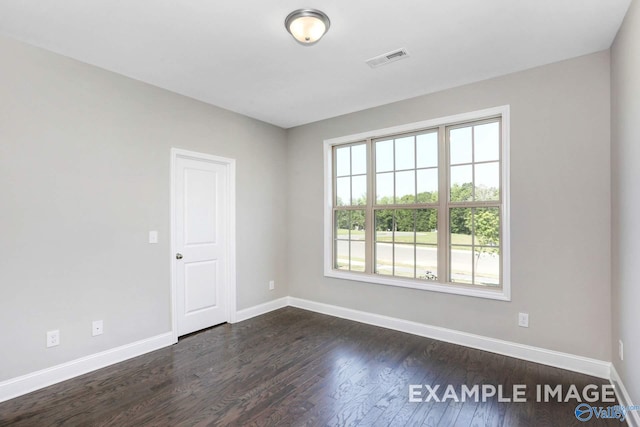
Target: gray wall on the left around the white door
point(84, 174)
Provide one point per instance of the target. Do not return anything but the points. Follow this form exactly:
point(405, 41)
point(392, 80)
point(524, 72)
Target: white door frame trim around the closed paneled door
point(230, 204)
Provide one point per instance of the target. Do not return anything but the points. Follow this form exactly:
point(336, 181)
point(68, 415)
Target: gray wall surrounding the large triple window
point(560, 192)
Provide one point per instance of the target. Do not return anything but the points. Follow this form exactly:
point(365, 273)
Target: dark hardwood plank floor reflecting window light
point(294, 367)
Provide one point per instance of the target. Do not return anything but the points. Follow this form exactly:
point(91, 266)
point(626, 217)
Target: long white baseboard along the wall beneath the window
point(584, 365)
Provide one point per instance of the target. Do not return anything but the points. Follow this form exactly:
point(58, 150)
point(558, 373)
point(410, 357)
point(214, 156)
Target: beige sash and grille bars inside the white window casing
point(443, 206)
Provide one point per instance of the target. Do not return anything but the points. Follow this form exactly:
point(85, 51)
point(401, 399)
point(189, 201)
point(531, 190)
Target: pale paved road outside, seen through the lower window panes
point(487, 267)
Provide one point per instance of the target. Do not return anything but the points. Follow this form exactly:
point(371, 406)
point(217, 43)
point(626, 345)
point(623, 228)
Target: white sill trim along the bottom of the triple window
point(456, 289)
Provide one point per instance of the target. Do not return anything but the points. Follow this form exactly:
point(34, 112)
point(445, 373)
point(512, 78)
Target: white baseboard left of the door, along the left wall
point(36, 380)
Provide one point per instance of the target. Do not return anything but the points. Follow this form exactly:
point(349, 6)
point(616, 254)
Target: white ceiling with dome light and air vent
point(238, 55)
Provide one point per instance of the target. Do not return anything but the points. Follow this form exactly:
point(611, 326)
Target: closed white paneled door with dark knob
point(201, 241)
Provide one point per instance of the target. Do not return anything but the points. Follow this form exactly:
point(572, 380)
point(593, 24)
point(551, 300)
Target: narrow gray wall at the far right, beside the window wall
point(625, 177)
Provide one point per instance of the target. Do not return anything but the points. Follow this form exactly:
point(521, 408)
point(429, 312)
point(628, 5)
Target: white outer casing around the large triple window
point(503, 294)
